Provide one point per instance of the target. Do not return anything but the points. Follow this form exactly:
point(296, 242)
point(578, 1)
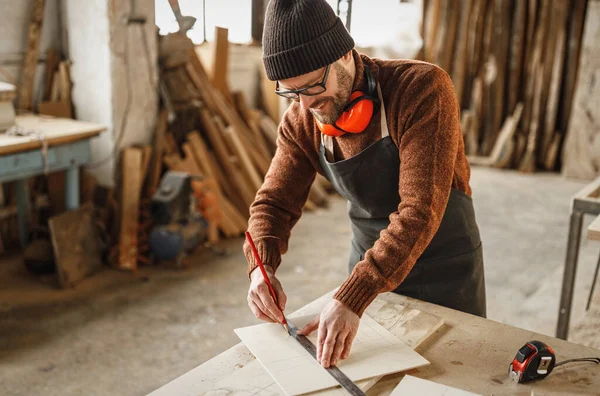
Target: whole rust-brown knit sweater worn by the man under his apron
point(423, 120)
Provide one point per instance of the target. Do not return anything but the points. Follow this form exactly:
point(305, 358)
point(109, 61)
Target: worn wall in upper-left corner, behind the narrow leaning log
point(14, 27)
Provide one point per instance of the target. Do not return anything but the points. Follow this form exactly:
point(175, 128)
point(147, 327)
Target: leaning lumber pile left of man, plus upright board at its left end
point(206, 131)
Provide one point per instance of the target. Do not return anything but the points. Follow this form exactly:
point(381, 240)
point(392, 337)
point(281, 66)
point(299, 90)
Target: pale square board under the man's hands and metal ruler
point(375, 351)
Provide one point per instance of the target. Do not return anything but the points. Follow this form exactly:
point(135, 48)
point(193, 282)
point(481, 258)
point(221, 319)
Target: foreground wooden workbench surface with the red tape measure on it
point(466, 352)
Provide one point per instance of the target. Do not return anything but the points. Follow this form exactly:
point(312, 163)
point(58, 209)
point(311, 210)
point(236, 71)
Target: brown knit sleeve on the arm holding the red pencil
point(278, 204)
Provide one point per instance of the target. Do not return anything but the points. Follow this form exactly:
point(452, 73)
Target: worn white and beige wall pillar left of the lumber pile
point(114, 75)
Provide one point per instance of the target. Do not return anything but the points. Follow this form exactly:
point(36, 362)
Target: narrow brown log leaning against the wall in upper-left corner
point(26, 91)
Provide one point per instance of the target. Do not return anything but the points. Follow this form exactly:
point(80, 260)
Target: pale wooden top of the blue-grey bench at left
point(56, 131)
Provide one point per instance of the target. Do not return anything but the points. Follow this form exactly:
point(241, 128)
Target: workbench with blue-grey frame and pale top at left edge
point(46, 145)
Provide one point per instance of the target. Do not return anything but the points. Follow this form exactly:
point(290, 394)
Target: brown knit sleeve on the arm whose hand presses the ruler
point(428, 141)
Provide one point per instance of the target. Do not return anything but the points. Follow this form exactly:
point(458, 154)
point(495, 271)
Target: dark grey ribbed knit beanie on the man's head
point(300, 36)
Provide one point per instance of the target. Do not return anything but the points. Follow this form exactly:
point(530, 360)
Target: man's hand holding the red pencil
point(260, 300)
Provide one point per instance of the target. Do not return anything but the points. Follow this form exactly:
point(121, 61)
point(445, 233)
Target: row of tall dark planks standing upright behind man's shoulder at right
point(514, 66)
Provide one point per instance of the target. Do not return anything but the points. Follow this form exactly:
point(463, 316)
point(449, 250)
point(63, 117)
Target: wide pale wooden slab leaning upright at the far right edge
point(581, 153)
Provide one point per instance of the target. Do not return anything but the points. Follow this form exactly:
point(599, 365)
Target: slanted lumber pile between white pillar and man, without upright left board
point(215, 134)
